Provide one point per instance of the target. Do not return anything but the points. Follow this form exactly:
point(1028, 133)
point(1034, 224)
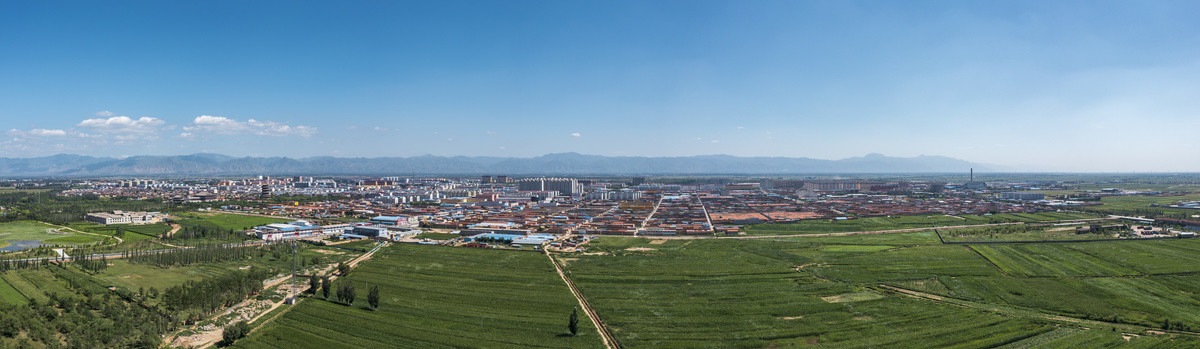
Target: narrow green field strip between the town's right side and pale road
point(904, 222)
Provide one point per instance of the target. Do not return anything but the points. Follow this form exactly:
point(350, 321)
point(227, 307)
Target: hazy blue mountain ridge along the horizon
point(549, 165)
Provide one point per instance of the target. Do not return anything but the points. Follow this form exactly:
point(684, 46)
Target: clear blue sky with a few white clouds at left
point(1047, 86)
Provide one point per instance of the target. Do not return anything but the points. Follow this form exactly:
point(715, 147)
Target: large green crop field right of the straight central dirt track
point(825, 291)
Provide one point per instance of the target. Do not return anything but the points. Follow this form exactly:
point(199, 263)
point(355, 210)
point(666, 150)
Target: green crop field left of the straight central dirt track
point(440, 297)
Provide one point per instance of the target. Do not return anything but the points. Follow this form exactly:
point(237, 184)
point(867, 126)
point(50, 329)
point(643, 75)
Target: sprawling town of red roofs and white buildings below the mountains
point(536, 212)
